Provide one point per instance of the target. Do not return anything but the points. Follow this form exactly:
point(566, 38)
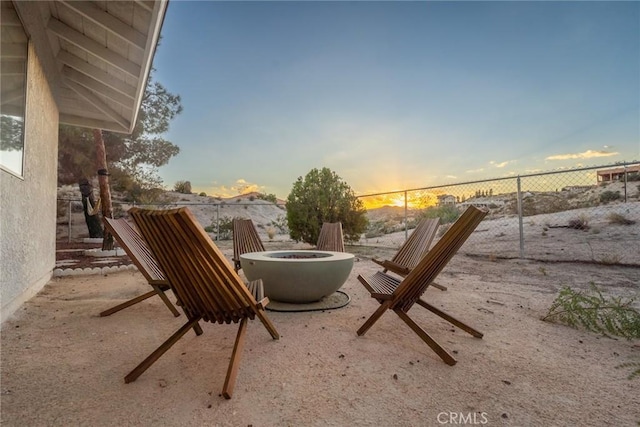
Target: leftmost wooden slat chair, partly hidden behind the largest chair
point(134, 245)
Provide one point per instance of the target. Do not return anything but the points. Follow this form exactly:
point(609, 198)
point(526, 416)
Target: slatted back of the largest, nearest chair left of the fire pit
point(202, 279)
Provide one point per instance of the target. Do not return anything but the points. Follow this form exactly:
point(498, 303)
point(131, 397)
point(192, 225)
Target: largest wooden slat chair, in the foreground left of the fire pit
point(203, 281)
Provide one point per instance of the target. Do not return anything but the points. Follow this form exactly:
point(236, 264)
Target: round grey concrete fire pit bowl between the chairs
point(299, 277)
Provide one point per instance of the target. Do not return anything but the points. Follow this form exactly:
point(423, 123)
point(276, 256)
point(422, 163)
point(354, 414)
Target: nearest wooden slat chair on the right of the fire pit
point(400, 295)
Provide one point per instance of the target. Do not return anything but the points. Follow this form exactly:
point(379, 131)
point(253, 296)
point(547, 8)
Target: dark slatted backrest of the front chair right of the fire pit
point(417, 281)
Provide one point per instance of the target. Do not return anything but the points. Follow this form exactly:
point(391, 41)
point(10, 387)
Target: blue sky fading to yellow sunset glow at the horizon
point(396, 95)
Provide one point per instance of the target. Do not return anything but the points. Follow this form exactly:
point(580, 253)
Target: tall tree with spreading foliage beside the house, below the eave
point(132, 159)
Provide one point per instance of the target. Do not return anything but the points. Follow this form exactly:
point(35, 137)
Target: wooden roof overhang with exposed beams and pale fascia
point(96, 55)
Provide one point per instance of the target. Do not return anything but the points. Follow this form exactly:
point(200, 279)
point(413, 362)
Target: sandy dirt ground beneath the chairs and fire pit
point(63, 365)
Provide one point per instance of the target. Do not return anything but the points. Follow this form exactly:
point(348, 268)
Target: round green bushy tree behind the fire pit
point(322, 196)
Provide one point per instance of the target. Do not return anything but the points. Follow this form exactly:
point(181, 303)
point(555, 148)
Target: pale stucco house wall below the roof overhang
point(28, 204)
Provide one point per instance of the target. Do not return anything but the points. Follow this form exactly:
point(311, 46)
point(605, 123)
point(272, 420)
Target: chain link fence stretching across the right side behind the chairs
point(590, 214)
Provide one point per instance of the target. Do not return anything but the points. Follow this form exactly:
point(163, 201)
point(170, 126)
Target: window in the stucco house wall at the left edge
point(13, 83)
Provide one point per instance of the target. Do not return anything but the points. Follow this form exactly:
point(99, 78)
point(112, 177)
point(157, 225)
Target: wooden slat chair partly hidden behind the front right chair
point(413, 249)
